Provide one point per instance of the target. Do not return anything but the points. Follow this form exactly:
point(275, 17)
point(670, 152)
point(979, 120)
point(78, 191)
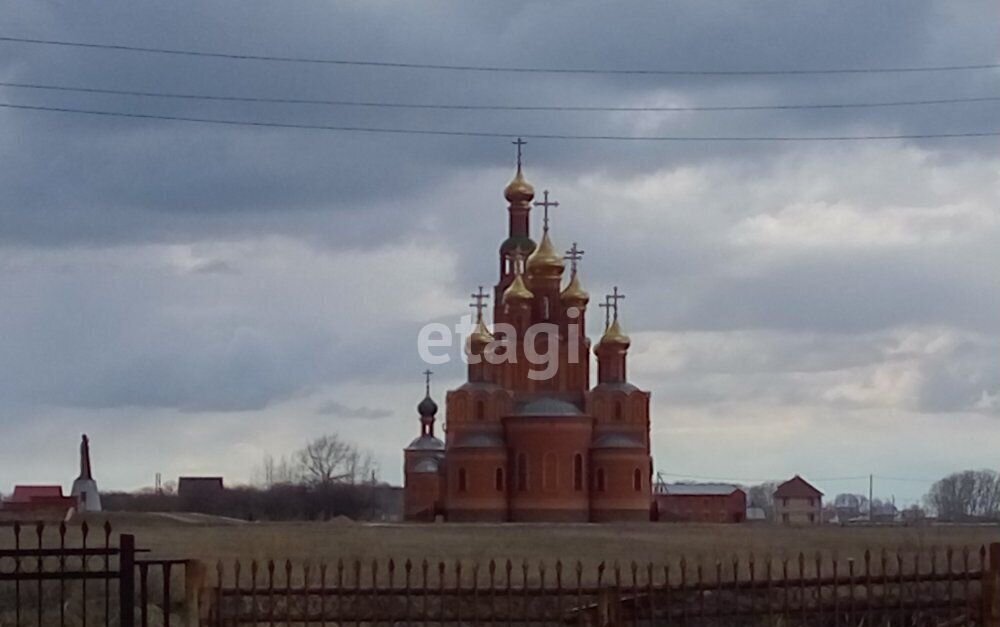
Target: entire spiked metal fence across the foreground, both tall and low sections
point(59, 575)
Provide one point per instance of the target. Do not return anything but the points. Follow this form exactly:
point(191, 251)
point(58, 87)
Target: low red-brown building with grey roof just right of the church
point(702, 502)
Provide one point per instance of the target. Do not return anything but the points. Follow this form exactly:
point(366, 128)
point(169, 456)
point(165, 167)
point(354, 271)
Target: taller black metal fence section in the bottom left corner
point(60, 575)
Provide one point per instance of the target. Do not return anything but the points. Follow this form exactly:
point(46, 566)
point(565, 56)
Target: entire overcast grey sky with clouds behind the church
point(196, 296)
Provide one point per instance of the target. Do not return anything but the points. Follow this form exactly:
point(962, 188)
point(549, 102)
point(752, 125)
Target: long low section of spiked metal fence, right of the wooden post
point(948, 587)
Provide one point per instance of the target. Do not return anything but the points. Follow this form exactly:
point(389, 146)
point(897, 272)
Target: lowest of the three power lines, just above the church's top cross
point(447, 133)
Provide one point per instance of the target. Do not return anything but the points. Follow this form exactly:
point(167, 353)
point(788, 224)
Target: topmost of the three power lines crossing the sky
point(491, 68)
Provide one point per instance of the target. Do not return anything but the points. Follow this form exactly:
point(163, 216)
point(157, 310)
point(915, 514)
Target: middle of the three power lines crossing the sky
point(482, 107)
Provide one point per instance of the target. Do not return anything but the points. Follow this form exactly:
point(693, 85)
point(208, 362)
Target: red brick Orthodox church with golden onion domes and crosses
point(523, 447)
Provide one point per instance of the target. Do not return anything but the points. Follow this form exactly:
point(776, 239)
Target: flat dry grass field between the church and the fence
point(184, 536)
